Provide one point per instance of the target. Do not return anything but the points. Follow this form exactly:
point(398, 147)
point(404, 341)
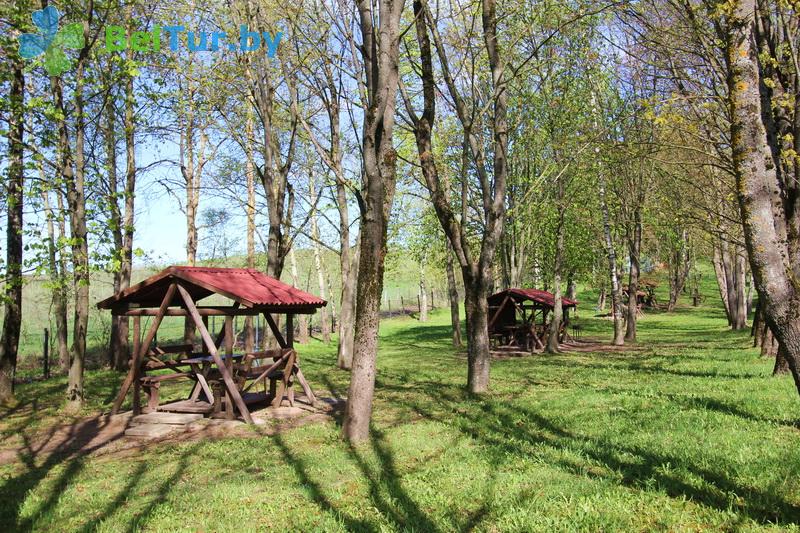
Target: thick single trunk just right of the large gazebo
point(380, 52)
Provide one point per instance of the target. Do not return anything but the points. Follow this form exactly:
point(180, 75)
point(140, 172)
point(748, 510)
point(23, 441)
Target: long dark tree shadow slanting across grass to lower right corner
point(498, 427)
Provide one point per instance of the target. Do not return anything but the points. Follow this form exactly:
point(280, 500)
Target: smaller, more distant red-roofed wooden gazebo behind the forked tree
point(518, 317)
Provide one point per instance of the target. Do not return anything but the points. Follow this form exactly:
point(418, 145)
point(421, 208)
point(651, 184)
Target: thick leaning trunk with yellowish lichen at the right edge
point(770, 215)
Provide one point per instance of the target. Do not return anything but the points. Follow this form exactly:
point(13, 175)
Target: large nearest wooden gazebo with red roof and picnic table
point(221, 382)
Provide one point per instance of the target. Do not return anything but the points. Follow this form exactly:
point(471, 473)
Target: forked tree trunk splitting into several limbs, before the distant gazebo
point(477, 270)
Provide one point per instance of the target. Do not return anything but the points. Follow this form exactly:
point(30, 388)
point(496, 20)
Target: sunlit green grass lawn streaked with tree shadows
point(688, 432)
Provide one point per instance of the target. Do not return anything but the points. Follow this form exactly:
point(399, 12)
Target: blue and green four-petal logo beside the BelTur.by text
point(51, 42)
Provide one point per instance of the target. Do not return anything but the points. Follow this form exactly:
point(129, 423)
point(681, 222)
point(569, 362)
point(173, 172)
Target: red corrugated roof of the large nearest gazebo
point(248, 286)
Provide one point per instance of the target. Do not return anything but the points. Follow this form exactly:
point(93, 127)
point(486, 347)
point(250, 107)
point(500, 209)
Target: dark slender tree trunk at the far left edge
point(12, 316)
